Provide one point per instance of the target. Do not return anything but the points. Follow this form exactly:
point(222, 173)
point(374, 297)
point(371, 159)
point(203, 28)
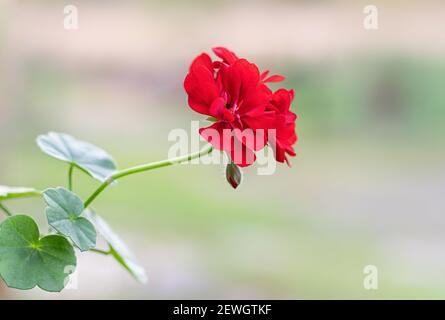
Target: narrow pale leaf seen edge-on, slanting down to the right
point(118, 248)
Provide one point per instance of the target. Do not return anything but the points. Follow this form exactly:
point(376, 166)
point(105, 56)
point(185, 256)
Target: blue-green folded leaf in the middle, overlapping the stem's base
point(63, 213)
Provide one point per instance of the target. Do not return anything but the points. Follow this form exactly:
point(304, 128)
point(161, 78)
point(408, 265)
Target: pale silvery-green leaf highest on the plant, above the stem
point(91, 159)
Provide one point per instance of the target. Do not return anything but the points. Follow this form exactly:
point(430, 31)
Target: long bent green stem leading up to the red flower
point(145, 167)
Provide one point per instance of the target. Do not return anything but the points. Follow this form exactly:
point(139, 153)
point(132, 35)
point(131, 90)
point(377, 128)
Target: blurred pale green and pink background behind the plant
point(367, 187)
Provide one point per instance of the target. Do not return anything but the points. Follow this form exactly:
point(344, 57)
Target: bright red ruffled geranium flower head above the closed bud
point(233, 92)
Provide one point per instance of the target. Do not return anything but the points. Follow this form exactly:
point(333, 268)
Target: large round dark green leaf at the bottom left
point(27, 261)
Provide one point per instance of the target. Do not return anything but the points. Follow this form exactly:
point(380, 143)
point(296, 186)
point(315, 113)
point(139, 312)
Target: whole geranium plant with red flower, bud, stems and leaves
point(247, 116)
